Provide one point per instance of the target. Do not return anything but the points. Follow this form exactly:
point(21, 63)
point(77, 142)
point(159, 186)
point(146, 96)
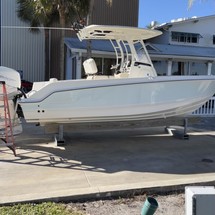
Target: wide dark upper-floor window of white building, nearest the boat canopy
point(185, 37)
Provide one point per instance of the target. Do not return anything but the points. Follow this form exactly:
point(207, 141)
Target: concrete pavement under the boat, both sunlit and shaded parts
point(99, 163)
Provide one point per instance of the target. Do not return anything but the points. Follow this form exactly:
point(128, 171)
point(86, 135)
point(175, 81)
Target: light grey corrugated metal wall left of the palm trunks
point(21, 49)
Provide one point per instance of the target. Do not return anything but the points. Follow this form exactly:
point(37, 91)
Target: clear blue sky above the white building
point(166, 10)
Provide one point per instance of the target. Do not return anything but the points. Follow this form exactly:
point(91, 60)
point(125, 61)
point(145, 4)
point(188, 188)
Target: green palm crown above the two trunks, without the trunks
point(47, 12)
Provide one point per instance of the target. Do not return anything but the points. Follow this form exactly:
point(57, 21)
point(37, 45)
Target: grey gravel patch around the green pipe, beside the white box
point(168, 205)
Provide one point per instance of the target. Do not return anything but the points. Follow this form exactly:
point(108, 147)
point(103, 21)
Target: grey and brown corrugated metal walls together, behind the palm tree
point(25, 51)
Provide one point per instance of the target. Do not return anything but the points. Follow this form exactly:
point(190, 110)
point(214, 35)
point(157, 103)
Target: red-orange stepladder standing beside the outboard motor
point(7, 136)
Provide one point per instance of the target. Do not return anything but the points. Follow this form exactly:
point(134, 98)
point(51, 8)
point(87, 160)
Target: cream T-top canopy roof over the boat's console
point(111, 32)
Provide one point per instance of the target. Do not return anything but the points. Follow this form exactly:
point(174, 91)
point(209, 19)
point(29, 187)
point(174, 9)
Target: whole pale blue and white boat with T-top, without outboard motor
point(133, 92)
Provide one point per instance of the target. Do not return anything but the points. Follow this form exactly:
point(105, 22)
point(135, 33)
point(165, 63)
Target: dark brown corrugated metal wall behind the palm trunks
point(122, 12)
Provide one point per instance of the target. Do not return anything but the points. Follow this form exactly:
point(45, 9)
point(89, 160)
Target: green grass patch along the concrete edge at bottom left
point(46, 208)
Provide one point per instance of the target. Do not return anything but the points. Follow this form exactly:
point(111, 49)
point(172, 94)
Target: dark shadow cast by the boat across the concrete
point(110, 151)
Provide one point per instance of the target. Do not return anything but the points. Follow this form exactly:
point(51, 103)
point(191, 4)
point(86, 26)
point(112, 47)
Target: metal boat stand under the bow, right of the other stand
point(177, 132)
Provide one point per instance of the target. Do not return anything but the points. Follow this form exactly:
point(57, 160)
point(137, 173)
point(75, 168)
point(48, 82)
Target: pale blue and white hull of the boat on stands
point(117, 100)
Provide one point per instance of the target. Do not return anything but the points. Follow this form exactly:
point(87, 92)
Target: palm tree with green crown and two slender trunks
point(46, 13)
